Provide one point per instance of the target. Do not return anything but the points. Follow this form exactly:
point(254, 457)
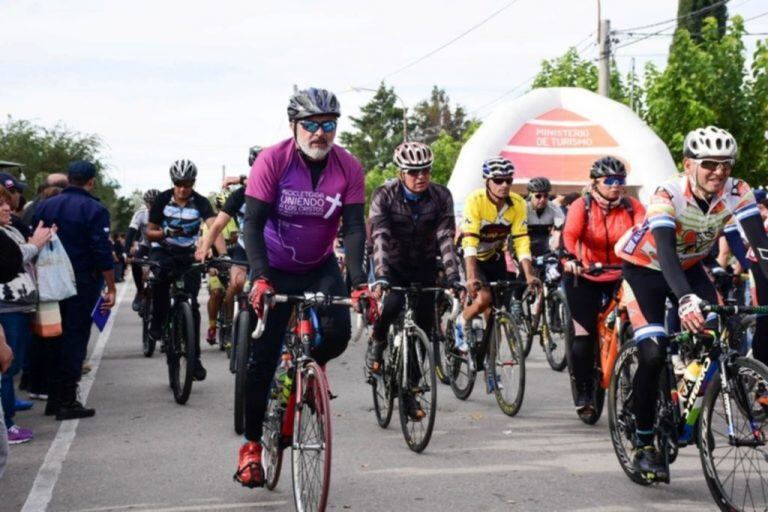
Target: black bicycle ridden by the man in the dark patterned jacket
point(408, 373)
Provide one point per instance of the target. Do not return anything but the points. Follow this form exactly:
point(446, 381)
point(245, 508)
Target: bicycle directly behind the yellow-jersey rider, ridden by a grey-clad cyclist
point(546, 312)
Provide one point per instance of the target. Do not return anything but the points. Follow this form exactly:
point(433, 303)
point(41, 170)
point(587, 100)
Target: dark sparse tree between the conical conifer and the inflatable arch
point(434, 115)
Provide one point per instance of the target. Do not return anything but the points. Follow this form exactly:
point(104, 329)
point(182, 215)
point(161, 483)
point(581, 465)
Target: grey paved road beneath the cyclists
point(144, 452)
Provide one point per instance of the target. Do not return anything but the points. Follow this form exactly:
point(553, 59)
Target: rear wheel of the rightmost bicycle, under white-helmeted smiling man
point(621, 418)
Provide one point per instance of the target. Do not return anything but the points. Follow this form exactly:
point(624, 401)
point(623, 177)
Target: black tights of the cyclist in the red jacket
point(585, 299)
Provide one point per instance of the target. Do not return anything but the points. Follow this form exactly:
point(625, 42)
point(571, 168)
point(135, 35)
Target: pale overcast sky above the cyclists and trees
point(161, 80)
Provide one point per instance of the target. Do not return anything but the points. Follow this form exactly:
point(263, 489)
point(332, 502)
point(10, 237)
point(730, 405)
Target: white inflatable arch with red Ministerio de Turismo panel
point(558, 133)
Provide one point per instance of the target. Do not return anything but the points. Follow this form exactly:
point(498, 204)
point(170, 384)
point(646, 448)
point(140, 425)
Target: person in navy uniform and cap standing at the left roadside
point(84, 225)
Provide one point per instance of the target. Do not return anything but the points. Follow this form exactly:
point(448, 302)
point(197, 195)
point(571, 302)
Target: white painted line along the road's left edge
point(42, 489)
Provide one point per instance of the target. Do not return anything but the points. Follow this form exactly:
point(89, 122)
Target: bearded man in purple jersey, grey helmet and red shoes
point(298, 192)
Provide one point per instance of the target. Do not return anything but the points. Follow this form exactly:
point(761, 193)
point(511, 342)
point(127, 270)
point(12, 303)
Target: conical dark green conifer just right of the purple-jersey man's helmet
point(378, 130)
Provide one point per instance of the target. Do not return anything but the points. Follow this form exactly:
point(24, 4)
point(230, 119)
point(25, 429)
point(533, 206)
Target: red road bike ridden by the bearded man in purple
point(298, 409)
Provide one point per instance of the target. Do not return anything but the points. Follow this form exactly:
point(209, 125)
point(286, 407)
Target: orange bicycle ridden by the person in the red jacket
point(613, 331)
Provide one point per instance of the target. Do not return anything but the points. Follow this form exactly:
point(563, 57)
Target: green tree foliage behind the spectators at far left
point(46, 150)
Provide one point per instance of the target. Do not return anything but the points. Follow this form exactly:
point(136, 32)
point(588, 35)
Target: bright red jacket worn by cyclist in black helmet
point(591, 238)
